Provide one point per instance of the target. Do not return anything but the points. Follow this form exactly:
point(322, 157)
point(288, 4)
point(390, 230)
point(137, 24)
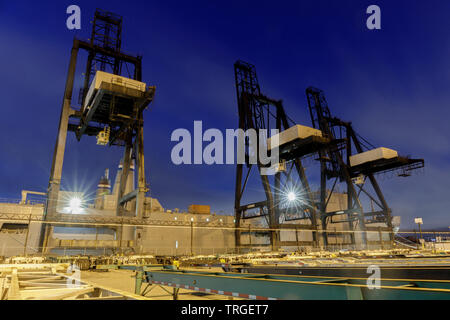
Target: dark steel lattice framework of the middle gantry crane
point(257, 111)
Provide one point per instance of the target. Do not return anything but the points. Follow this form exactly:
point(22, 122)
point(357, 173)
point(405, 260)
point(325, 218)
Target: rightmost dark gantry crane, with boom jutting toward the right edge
point(335, 165)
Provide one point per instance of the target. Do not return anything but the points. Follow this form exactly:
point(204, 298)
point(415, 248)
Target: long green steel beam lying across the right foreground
point(287, 287)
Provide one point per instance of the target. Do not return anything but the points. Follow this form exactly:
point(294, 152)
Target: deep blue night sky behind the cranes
point(393, 84)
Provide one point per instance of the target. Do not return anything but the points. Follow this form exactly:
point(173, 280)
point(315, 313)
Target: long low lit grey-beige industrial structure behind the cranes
point(168, 232)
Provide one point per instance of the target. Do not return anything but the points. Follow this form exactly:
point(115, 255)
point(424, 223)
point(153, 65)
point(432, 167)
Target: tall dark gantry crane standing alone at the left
point(112, 101)
